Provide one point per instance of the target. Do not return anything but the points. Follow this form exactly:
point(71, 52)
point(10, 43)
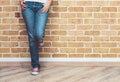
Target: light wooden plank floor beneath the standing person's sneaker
point(61, 74)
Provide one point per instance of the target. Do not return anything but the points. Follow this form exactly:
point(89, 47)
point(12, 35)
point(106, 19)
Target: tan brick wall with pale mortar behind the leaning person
point(75, 29)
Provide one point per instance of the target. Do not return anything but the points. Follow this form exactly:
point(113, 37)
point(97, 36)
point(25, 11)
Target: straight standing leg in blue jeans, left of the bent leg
point(29, 17)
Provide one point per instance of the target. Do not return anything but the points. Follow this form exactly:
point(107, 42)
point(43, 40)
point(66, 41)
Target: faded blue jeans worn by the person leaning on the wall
point(35, 23)
